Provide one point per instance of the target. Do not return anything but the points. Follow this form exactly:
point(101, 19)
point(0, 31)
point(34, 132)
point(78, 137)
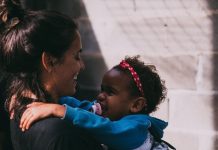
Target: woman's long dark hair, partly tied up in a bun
point(24, 36)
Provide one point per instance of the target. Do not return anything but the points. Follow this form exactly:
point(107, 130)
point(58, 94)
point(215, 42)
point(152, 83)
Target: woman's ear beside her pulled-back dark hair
point(47, 62)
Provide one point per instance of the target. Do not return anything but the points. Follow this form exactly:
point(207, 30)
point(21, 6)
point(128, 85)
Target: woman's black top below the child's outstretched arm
point(52, 134)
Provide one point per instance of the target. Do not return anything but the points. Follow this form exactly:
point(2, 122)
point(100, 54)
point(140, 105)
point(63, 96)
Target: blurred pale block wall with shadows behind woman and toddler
point(180, 37)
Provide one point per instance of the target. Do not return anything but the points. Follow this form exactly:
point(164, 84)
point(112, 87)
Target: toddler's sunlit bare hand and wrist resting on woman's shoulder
point(38, 110)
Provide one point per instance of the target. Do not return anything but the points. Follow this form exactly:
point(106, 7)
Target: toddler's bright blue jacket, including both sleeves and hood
point(127, 133)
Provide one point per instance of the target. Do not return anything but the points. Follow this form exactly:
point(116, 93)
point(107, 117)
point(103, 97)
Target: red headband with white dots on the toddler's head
point(135, 76)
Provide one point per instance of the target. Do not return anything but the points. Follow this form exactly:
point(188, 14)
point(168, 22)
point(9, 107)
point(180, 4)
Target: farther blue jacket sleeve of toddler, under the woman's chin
point(75, 103)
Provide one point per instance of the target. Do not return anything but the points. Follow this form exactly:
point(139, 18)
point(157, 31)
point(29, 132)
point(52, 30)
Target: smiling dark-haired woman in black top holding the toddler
point(40, 50)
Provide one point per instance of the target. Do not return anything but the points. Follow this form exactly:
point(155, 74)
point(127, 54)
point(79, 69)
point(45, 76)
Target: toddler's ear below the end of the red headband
point(138, 105)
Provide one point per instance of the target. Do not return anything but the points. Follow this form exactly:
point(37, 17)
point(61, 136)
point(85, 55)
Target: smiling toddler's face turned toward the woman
point(114, 98)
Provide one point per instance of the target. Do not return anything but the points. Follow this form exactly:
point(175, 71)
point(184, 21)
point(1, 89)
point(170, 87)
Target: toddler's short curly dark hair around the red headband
point(153, 87)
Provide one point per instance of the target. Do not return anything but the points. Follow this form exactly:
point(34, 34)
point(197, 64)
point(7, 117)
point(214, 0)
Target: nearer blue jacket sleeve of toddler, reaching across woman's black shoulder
point(127, 133)
